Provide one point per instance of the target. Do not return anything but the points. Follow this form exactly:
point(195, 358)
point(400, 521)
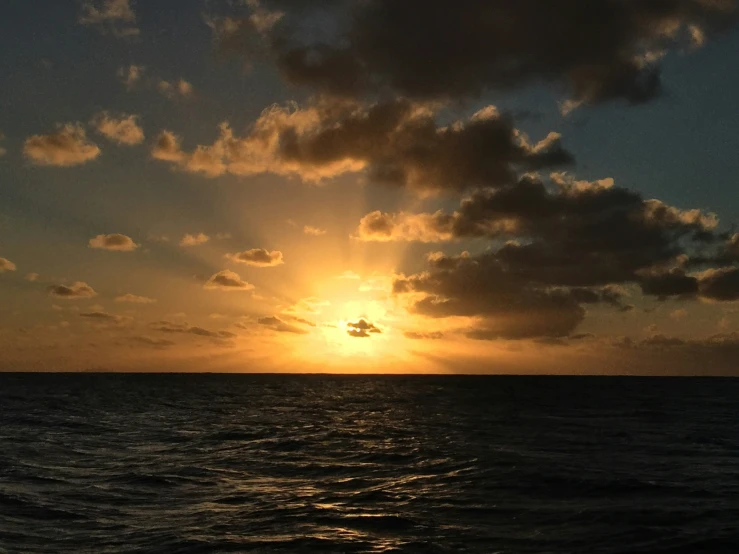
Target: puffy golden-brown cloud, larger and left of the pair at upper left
point(67, 147)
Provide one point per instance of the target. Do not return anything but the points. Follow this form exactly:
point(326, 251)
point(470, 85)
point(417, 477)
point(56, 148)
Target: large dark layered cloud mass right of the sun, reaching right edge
point(574, 243)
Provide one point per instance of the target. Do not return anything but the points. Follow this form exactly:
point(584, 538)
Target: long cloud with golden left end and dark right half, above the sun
point(396, 142)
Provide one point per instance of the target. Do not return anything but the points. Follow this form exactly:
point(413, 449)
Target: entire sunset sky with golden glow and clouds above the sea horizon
point(369, 186)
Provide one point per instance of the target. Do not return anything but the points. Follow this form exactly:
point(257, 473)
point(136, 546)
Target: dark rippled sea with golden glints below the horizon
point(200, 464)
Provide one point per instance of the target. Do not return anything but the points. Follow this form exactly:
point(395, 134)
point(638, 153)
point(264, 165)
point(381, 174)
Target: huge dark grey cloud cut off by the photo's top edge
point(597, 51)
